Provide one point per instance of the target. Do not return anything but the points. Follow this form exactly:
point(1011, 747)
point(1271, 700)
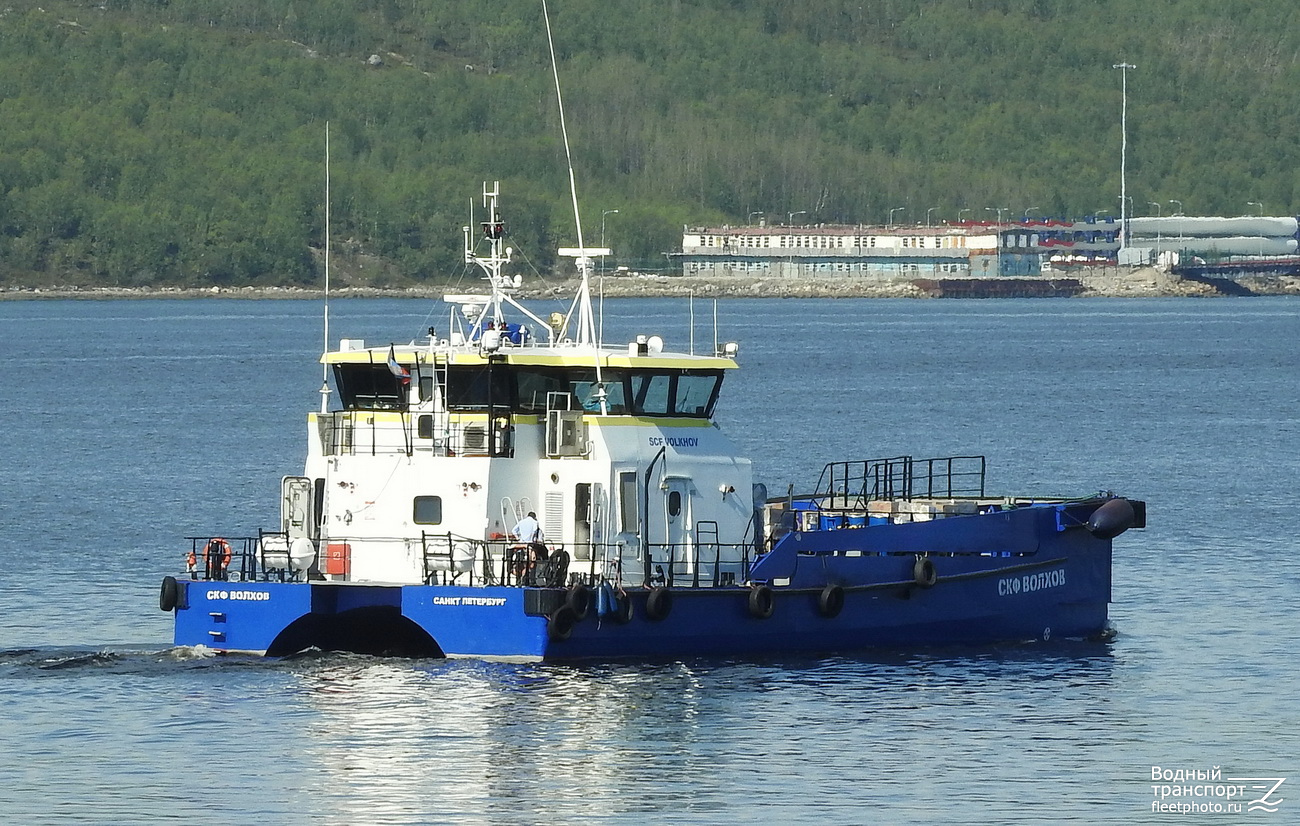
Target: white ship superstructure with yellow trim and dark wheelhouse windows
point(435, 449)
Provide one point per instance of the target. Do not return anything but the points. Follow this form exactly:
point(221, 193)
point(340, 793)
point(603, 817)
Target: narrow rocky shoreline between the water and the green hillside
point(1098, 283)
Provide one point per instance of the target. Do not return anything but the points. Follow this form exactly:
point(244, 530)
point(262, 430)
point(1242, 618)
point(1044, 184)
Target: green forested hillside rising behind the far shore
point(149, 142)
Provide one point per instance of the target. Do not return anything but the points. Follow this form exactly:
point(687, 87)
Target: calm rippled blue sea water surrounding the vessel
point(128, 426)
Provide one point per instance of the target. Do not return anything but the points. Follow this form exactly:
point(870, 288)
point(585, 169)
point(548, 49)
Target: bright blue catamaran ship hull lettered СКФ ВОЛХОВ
point(1024, 574)
